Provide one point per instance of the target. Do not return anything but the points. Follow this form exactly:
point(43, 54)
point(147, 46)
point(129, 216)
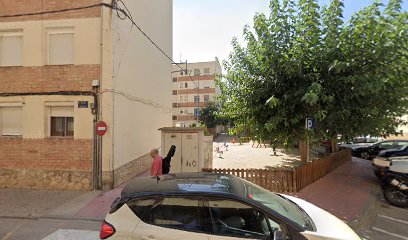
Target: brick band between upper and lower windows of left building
point(48, 78)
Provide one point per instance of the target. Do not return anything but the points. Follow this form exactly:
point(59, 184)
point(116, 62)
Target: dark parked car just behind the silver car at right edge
point(371, 151)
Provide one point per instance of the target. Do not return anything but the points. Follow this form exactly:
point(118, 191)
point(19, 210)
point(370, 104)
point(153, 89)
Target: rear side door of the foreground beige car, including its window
point(173, 218)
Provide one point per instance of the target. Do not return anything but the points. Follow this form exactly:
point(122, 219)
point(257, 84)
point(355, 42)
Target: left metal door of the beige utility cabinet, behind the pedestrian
point(173, 139)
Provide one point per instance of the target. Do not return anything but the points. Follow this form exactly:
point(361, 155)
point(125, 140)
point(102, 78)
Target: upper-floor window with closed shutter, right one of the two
point(61, 46)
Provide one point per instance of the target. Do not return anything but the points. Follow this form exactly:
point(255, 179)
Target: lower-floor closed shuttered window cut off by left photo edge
point(11, 121)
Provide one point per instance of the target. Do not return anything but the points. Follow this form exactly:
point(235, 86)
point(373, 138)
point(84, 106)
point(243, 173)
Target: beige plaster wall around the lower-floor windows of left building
point(35, 117)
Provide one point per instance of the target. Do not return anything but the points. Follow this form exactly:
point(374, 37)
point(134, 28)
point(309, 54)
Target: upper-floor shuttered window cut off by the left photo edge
point(11, 48)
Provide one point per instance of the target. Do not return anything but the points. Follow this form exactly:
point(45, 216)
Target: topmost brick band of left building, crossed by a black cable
point(12, 7)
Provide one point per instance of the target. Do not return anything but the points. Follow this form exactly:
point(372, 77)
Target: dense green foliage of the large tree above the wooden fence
point(303, 61)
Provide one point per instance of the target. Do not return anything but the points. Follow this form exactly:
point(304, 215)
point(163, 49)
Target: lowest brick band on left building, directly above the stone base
point(49, 153)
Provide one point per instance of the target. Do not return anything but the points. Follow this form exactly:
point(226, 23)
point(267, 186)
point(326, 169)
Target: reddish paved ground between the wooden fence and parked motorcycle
point(352, 193)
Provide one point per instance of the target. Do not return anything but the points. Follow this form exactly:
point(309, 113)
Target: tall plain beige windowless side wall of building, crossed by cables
point(141, 71)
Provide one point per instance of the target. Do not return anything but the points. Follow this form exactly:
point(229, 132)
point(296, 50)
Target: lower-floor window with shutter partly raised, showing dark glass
point(61, 121)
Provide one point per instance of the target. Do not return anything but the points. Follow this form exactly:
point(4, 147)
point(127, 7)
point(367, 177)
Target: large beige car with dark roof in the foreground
point(215, 206)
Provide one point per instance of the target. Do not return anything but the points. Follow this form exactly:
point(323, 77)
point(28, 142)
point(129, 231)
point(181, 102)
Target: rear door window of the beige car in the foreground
point(178, 213)
